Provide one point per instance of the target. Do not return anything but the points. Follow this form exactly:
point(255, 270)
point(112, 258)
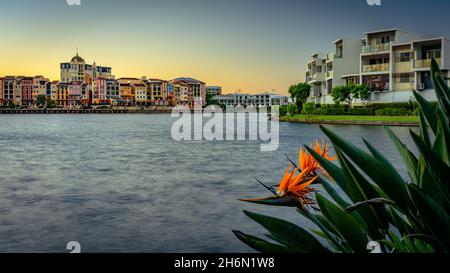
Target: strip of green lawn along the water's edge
point(356, 119)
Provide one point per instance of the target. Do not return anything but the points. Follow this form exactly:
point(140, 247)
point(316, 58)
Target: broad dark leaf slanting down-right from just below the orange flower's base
point(345, 224)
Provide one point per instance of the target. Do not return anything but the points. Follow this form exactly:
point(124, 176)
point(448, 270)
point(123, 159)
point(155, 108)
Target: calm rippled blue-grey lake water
point(119, 183)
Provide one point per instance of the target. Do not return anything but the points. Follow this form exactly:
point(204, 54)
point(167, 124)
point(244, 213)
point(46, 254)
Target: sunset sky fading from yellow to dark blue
point(242, 45)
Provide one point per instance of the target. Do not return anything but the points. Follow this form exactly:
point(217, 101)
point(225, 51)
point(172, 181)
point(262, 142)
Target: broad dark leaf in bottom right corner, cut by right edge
point(436, 219)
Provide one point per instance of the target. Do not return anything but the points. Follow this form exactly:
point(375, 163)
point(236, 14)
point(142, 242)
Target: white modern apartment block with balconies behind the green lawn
point(392, 62)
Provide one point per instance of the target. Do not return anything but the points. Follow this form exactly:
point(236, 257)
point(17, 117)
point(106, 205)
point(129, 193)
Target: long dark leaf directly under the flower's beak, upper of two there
point(290, 235)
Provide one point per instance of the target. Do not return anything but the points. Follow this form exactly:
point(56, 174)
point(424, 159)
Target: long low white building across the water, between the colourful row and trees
point(264, 99)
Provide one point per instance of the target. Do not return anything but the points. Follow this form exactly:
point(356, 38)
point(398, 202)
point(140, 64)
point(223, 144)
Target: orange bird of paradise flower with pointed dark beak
point(297, 185)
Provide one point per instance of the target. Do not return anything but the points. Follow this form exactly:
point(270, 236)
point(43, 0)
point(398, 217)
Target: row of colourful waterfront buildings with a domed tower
point(83, 84)
